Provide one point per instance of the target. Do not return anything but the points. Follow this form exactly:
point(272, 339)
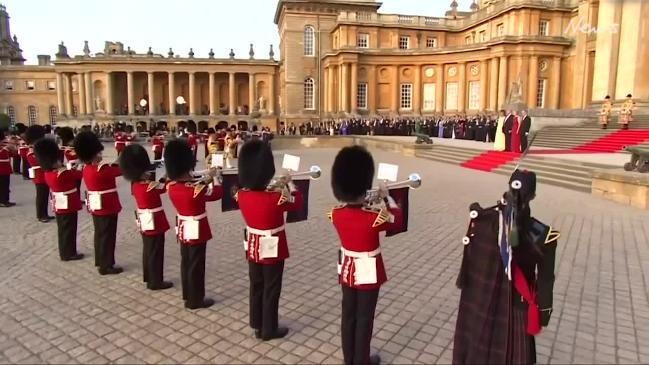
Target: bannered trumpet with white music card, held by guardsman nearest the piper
point(399, 191)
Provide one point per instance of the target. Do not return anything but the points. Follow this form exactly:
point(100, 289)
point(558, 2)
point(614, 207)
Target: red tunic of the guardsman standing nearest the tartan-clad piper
point(358, 229)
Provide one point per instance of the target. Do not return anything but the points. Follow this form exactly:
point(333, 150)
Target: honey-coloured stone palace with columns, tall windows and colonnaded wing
point(343, 57)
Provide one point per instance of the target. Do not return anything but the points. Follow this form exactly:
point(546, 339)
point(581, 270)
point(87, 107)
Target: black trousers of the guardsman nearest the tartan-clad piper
point(357, 323)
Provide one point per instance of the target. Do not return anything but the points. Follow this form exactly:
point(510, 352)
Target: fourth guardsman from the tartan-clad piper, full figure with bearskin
point(150, 215)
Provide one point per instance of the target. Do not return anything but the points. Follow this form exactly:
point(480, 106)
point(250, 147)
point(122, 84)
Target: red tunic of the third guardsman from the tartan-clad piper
point(190, 200)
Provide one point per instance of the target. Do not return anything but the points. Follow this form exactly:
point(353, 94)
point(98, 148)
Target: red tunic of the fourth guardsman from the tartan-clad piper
point(148, 196)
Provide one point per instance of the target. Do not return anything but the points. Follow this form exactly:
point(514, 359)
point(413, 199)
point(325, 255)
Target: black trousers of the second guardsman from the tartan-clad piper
point(265, 288)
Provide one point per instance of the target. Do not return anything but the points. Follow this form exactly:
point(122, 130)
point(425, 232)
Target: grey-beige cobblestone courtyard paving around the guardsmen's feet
point(58, 312)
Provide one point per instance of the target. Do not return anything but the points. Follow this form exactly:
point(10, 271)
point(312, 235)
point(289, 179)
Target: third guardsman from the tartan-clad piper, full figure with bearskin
point(192, 227)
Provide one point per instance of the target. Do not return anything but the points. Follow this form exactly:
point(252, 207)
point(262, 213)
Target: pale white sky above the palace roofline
point(180, 24)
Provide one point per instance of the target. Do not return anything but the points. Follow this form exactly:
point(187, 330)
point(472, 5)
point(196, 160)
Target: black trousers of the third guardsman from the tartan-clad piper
point(192, 273)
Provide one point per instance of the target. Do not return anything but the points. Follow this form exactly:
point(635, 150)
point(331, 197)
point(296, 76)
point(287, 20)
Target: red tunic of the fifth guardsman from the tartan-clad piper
point(101, 179)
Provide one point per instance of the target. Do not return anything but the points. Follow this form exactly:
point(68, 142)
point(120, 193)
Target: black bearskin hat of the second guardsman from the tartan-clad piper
point(256, 165)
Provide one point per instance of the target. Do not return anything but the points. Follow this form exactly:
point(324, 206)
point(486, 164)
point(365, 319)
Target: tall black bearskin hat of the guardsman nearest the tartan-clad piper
point(352, 174)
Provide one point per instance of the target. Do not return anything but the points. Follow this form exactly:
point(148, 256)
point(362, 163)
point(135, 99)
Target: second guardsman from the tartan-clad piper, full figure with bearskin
point(266, 245)
